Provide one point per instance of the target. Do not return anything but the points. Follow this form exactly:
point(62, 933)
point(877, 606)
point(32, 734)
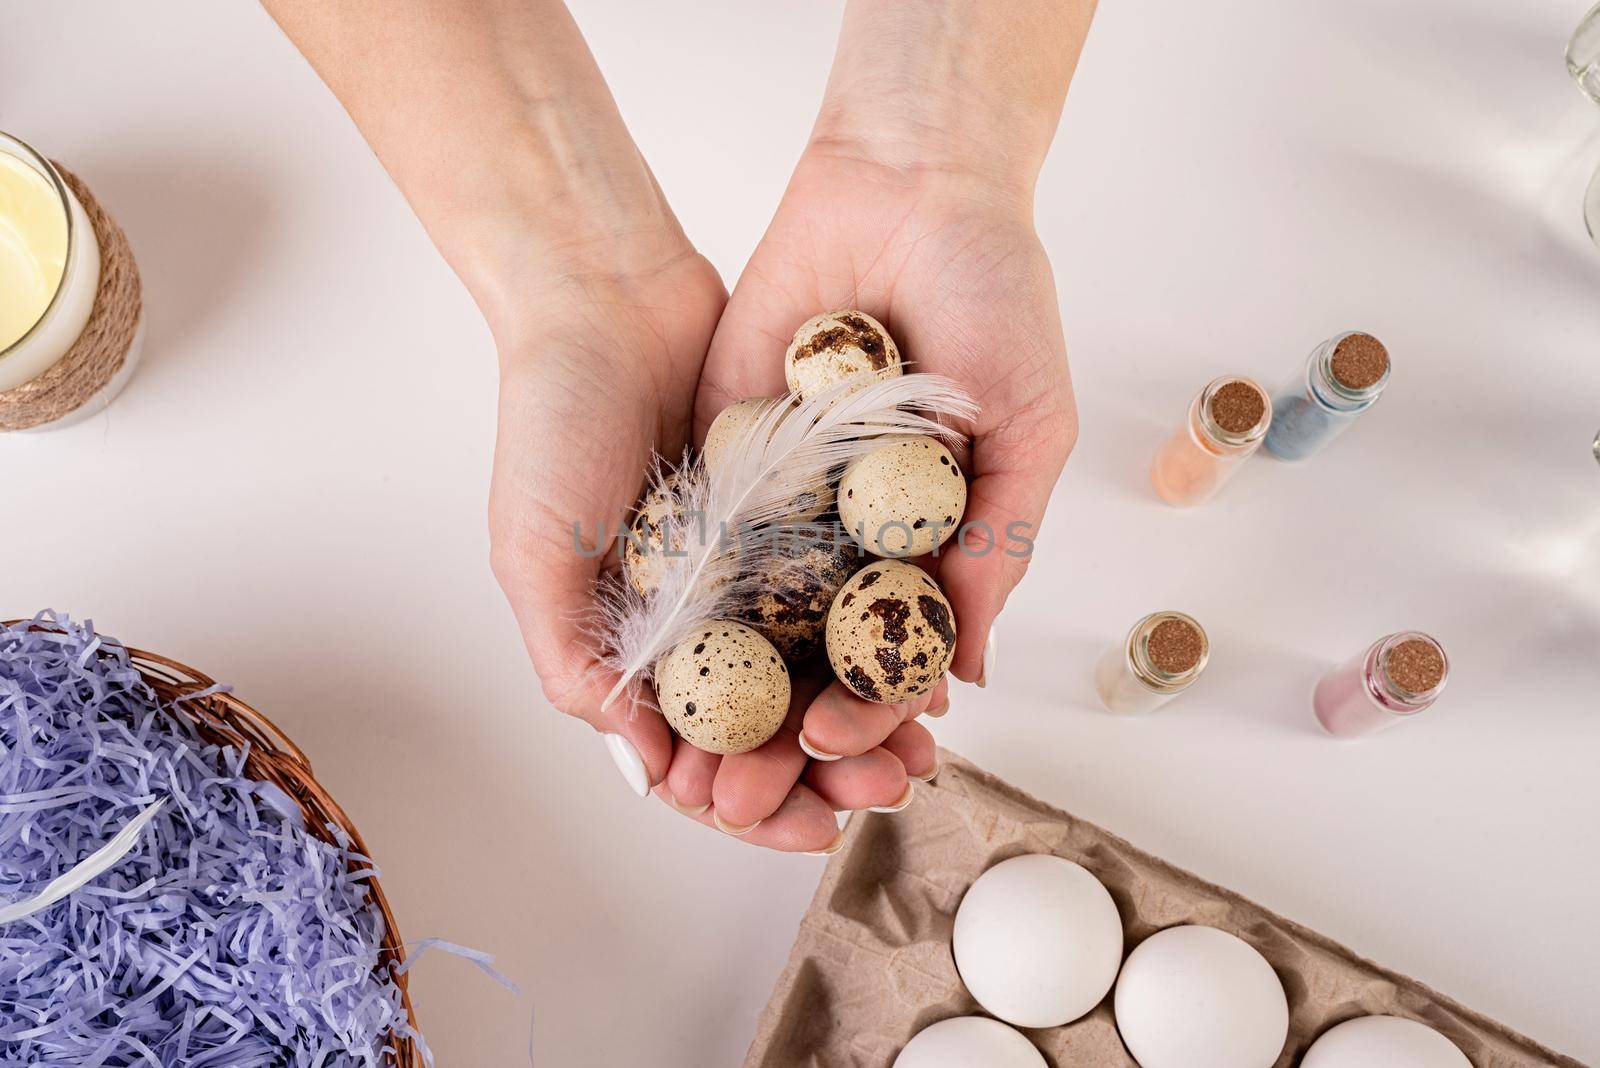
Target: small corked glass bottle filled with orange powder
point(1226, 424)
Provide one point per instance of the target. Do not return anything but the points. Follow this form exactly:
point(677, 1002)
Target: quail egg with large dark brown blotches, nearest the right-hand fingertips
point(890, 632)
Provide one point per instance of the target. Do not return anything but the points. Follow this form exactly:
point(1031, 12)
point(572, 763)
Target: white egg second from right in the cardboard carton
point(1201, 998)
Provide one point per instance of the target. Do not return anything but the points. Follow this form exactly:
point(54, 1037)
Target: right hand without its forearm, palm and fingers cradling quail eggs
point(956, 273)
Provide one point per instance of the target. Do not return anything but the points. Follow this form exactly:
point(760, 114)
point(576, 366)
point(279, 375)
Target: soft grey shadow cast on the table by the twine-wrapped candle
point(198, 228)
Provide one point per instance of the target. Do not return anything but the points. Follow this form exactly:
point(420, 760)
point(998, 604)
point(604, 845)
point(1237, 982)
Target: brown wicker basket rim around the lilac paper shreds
point(273, 759)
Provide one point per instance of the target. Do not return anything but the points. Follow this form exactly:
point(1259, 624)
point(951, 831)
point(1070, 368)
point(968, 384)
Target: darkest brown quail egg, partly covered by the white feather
point(798, 588)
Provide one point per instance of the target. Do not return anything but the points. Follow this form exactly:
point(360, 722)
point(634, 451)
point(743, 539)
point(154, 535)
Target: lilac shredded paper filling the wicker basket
point(228, 936)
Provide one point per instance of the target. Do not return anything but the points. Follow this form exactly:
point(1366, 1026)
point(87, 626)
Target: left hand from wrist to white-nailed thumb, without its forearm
point(599, 372)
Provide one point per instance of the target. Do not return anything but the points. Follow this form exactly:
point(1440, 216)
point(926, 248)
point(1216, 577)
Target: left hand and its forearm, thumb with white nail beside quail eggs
point(497, 126)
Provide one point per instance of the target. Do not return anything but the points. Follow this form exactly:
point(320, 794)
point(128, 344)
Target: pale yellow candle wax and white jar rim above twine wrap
point(49, 266)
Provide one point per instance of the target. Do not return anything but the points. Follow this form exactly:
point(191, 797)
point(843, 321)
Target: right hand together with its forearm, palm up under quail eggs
point(914, 204)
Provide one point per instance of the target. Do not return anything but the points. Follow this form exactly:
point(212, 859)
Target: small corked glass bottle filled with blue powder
point(1342, 380)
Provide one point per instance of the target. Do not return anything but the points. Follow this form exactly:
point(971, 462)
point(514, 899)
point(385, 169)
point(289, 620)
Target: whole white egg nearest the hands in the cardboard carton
point(1038, 941)
